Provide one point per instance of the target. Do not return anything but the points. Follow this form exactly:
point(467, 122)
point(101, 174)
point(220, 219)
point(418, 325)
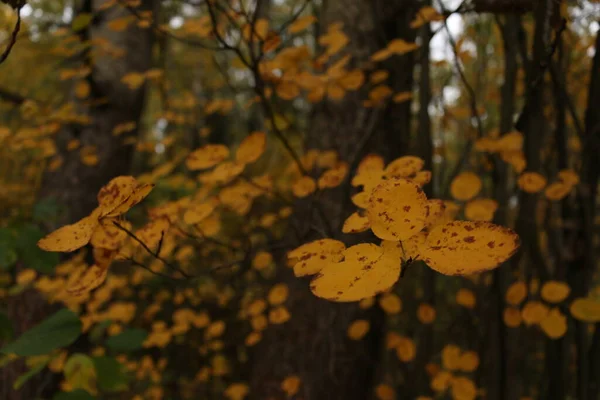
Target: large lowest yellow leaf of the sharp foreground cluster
point(365, 272)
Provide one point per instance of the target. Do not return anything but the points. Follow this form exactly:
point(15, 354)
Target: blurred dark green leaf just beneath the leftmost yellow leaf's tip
point(32, 256)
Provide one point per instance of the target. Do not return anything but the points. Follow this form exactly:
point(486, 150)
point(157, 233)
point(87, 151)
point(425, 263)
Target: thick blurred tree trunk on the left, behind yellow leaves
point(74, 185)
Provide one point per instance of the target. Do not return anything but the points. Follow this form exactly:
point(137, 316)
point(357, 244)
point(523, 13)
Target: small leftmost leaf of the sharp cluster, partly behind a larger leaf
point(312, 257)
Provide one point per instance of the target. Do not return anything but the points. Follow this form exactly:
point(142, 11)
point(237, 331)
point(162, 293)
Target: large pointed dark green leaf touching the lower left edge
point(59, 330)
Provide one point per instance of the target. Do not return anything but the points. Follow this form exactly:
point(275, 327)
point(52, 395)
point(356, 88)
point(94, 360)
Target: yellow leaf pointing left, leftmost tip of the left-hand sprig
point(71, 237)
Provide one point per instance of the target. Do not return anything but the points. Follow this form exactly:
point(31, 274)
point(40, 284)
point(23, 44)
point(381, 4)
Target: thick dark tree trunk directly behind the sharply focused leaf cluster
point(314, 343)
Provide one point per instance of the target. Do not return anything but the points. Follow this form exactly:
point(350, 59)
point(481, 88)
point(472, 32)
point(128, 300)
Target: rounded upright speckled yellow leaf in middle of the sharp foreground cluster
point(397, 209)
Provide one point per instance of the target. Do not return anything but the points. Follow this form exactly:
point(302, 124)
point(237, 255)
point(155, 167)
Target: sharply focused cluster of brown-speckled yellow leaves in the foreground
point(411, 226)
